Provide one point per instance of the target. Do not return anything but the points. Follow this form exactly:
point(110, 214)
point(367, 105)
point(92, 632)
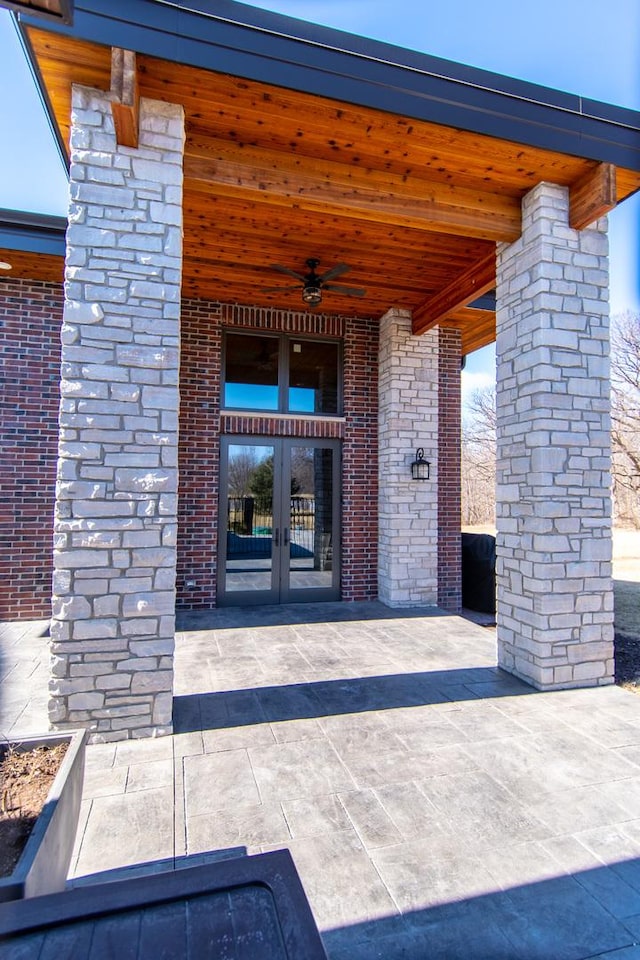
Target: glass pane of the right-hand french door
point(311, 518)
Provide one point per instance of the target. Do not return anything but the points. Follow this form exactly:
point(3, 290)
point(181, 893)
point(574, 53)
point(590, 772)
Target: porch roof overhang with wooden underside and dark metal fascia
point(304, 141)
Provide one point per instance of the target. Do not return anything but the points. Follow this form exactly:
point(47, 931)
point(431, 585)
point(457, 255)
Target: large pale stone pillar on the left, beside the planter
point(115, 527)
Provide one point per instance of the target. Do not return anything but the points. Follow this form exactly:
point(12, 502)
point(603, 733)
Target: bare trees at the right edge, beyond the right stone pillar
point(625, 417)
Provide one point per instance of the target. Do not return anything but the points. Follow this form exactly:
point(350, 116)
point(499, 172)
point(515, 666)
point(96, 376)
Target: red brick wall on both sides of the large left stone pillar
point(30, 319)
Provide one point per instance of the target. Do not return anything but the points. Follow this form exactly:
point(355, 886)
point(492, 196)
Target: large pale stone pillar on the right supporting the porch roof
point(555, 598)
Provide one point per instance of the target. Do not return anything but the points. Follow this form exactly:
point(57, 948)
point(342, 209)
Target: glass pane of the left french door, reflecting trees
point(249, 517)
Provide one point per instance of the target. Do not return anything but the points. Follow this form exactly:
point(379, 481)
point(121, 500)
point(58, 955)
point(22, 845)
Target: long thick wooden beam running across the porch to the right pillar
point(284, 178)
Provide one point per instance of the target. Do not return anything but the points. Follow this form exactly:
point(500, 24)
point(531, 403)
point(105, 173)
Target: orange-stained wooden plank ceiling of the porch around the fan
point(411, 206)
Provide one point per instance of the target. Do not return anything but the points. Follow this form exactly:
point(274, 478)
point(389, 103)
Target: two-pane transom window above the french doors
point(281, 373)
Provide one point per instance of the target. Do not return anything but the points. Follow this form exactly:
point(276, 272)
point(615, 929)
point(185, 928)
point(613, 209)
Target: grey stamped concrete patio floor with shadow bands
point(435, 807)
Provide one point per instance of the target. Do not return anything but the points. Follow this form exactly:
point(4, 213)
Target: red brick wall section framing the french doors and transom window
point(201, 425)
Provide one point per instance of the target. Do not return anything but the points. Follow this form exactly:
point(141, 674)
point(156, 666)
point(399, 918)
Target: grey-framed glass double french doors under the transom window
point(279, 516)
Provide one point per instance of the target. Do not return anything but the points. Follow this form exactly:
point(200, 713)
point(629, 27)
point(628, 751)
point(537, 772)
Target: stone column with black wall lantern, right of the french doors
point(408, 419)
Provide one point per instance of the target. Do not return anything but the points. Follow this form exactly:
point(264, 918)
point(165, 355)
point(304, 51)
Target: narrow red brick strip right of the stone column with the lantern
point(449, 485)
